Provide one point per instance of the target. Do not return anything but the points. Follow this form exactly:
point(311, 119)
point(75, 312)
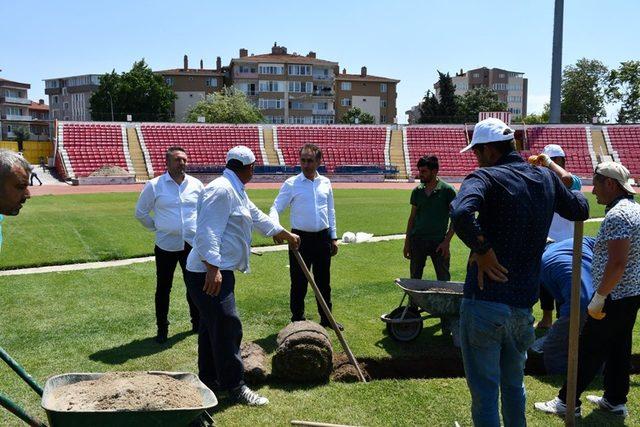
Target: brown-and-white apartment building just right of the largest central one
point(372, 94)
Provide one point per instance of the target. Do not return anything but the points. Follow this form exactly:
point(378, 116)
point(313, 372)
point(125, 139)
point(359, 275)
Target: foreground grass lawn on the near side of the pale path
point(102, 320)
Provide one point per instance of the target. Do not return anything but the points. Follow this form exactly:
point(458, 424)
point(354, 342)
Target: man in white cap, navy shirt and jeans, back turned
point(514, 203)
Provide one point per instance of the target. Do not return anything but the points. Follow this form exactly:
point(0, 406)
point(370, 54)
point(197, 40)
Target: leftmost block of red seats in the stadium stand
point(85, 147)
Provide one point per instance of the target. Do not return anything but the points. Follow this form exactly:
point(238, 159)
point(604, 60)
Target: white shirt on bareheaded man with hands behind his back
point(174, 210)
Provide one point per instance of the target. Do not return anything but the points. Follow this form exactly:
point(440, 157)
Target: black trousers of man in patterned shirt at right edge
point(607, 341)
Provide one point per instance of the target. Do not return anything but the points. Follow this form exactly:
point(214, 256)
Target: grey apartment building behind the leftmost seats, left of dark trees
point(69, 96)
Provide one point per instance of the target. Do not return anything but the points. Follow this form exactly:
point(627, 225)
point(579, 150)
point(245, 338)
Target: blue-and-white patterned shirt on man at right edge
point(621, 222)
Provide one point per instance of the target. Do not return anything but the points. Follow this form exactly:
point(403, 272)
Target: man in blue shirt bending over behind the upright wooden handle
point(555, 276)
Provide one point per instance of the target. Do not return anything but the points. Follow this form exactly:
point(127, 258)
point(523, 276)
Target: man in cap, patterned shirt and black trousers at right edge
point(607, 334)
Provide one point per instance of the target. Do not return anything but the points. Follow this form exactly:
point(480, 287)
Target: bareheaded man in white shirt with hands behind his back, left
point(172, 197)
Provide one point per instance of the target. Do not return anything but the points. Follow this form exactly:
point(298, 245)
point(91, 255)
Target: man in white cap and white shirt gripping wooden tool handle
point(226, 218)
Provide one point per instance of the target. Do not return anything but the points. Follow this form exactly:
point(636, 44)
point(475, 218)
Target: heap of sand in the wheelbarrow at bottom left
point(126, 391)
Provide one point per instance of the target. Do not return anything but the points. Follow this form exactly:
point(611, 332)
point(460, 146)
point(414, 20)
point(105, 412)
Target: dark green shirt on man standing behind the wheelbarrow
point(432, 211)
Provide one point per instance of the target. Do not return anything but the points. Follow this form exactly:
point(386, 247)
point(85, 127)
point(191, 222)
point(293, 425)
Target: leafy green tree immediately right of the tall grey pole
point(583, 91)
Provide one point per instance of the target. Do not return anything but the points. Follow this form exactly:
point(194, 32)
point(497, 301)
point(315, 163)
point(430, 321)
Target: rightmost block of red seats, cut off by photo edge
point(623, 143)
